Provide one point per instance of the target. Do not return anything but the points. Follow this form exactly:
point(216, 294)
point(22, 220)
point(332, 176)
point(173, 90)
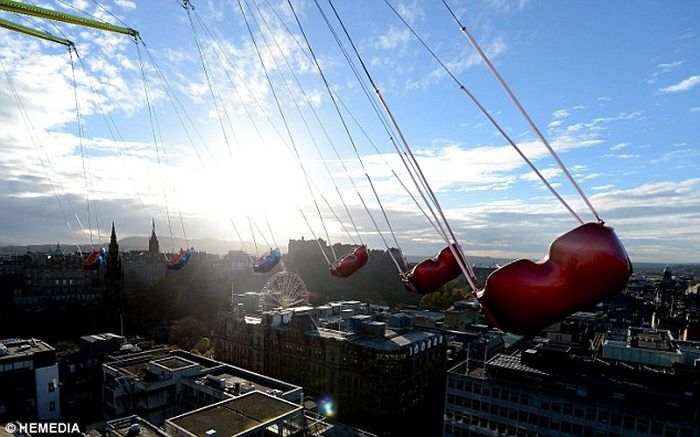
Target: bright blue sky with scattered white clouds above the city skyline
point(250, 120)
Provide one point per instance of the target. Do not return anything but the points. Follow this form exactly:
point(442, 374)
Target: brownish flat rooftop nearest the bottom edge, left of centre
point(235, 416)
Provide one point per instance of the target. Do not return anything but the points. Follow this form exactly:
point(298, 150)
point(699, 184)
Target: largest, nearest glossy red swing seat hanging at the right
point(584, 266)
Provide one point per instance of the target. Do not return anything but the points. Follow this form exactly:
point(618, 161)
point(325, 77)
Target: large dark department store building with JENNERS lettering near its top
point(388, 380)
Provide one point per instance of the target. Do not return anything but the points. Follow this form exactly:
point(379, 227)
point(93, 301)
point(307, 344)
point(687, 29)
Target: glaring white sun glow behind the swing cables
point(261, 182)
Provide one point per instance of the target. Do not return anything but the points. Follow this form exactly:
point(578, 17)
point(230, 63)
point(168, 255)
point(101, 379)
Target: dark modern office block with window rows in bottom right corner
point(549, 391)
